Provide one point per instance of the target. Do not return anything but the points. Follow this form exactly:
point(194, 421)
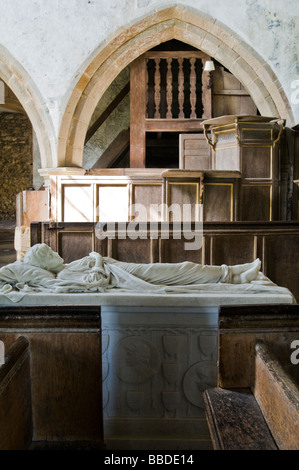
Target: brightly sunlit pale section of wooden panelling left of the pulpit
point(112, 198)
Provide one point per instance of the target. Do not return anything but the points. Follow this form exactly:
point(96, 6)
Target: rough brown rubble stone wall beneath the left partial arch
point(15, 160)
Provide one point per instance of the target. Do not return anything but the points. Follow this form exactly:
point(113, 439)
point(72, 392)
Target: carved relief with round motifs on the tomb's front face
point(157, 371)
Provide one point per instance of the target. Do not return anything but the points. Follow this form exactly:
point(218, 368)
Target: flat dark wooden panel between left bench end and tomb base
point(61, 407)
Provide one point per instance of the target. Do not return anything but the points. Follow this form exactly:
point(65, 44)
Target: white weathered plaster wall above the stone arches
point(55, 41)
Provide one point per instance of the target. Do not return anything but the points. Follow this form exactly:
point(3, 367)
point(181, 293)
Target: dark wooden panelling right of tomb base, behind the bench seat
point(239, 329)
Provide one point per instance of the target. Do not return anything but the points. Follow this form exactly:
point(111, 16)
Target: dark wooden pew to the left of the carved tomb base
point(65, 375)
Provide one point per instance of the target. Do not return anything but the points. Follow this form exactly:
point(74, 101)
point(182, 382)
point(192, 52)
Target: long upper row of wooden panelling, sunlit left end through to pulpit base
point(112, 197)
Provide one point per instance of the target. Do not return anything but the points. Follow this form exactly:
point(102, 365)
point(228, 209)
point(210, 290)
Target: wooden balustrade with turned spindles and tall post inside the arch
point(169, 93)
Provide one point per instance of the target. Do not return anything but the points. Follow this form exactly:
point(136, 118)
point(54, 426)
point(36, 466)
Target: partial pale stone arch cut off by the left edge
point(18, 80)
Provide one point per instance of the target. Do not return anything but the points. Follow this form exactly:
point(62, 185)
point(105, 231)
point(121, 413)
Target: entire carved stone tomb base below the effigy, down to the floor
point(157, 361)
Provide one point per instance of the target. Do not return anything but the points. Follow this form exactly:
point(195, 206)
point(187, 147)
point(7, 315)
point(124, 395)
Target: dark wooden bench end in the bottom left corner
point(15, 398)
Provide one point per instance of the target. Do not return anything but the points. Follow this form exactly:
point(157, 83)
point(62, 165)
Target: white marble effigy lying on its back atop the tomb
point(42, 269)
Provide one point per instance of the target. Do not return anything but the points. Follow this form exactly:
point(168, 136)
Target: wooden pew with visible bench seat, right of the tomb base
point(256, 403)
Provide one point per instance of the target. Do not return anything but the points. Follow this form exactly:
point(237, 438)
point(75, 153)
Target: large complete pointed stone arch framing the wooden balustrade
point(181, 23)
